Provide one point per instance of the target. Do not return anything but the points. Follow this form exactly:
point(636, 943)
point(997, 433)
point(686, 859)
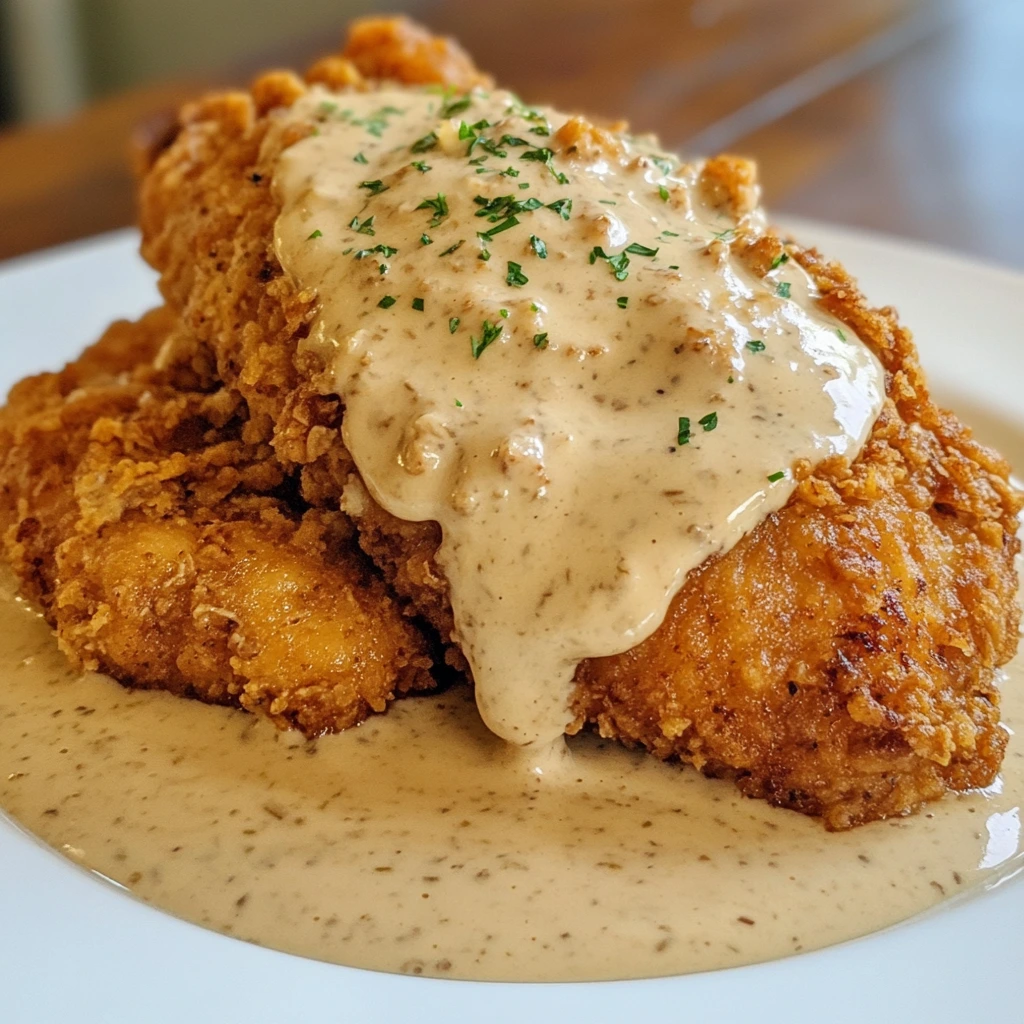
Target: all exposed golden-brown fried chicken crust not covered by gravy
point(180, 518)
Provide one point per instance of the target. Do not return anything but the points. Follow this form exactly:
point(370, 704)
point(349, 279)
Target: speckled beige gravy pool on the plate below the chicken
point(421, 843)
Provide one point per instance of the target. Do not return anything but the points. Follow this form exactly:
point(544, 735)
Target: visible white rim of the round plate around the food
point(74, 948)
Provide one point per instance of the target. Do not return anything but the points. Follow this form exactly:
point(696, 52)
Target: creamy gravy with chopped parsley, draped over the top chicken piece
point(545, 343)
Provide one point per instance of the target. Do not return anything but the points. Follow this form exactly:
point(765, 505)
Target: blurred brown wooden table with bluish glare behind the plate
point(904, 116)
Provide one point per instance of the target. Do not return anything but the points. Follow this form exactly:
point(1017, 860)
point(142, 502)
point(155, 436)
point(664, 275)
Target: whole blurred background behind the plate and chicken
point(904, 116)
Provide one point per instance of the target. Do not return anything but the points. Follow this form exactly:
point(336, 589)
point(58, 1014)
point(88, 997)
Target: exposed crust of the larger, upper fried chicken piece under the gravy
point(841, 660)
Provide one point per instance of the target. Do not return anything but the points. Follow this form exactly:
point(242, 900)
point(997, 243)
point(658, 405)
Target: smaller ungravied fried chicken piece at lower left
point(159, 541)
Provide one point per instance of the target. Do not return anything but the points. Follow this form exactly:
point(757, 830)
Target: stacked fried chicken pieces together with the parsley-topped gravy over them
point(607, 445)
